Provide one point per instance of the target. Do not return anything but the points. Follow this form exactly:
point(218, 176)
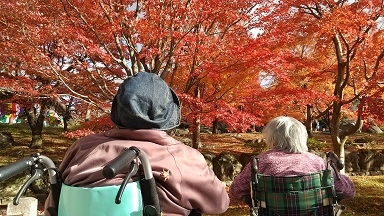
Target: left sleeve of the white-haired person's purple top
point(241, 185)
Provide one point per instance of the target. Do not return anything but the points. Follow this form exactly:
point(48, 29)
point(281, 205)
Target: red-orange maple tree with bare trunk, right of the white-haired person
point(328, 59)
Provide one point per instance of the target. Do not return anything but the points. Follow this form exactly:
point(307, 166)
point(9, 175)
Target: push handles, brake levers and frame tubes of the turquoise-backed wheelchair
point(39, 164)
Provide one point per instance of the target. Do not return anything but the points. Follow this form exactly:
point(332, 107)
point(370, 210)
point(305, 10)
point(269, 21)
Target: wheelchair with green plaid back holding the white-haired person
point(305, 195)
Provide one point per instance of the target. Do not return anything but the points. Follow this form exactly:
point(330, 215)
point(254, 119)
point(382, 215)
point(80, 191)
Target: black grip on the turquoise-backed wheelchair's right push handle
point(119, 163)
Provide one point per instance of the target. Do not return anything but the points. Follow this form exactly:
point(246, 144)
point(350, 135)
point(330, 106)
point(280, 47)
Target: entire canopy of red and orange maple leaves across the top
point(319, 53)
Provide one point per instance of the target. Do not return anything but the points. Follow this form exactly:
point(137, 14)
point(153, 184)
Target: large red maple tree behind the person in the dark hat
point(79, 51)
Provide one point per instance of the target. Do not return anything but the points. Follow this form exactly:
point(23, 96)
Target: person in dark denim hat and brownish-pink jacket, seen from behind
point(143, 109)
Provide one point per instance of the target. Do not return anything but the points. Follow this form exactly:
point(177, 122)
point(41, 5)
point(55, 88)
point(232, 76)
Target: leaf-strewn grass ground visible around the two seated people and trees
point(369, 198)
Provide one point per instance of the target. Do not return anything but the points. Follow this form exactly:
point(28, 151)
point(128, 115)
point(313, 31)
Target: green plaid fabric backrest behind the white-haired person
point(296, 195)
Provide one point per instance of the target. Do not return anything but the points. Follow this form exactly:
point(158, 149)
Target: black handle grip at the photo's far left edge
point(15, 168)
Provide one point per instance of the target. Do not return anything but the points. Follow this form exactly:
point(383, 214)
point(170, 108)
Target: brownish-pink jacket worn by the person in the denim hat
point(191, 184)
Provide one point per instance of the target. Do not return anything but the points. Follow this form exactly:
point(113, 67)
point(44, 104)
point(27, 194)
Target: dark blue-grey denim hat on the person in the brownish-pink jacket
point(145, 101)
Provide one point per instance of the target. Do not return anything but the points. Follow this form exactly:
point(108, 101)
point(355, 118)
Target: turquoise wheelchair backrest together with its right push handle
point(130, 198)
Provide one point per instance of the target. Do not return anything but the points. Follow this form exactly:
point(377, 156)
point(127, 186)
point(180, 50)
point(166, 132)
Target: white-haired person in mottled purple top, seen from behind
point(288, 155)
